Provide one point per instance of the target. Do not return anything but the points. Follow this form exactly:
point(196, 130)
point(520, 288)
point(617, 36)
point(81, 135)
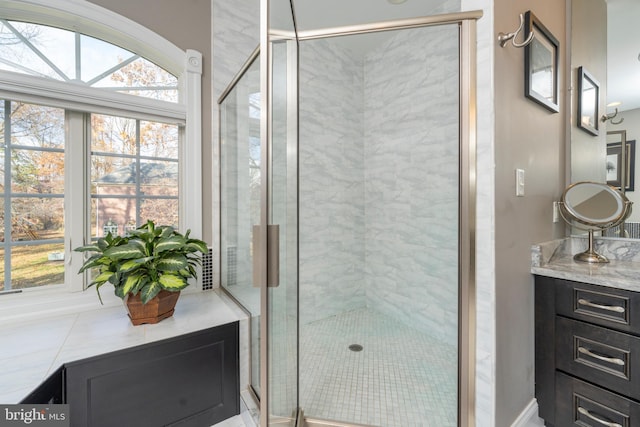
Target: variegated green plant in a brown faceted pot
point(148, 268)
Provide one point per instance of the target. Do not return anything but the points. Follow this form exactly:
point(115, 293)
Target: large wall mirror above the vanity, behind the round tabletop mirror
point(603, 40)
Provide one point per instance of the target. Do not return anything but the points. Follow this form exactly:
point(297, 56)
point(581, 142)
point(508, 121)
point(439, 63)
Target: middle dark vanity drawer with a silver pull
point(599, 355)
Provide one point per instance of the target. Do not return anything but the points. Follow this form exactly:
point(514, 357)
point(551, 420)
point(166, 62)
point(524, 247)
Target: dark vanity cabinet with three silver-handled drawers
point(587, 354)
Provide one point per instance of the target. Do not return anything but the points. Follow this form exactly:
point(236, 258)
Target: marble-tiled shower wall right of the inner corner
point(411, 176)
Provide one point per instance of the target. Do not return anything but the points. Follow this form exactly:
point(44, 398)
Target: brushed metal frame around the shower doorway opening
point(466, 22)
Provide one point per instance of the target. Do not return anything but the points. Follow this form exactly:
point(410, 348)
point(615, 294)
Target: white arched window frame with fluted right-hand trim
point(96, 21)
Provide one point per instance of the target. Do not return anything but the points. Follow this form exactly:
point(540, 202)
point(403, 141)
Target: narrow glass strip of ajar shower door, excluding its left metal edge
point(282, 292)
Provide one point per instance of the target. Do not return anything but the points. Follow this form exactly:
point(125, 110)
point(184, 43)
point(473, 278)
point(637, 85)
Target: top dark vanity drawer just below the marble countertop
point(610, 307)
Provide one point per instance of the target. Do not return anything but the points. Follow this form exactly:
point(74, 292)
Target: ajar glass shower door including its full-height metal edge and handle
point(279, 351)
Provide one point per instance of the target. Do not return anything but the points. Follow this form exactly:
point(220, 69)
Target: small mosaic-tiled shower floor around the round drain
point(401, 378)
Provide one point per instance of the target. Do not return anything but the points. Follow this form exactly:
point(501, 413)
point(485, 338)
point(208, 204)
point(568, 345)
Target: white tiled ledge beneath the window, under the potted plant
point(34, 345)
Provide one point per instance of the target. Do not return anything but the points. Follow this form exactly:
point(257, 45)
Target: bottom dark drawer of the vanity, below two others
point(585, 405)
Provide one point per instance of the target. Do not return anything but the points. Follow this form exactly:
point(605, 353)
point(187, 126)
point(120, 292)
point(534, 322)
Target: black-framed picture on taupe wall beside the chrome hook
point(541, 65)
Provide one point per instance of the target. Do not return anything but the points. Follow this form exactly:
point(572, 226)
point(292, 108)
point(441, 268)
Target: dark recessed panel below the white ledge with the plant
point(190, 380)
